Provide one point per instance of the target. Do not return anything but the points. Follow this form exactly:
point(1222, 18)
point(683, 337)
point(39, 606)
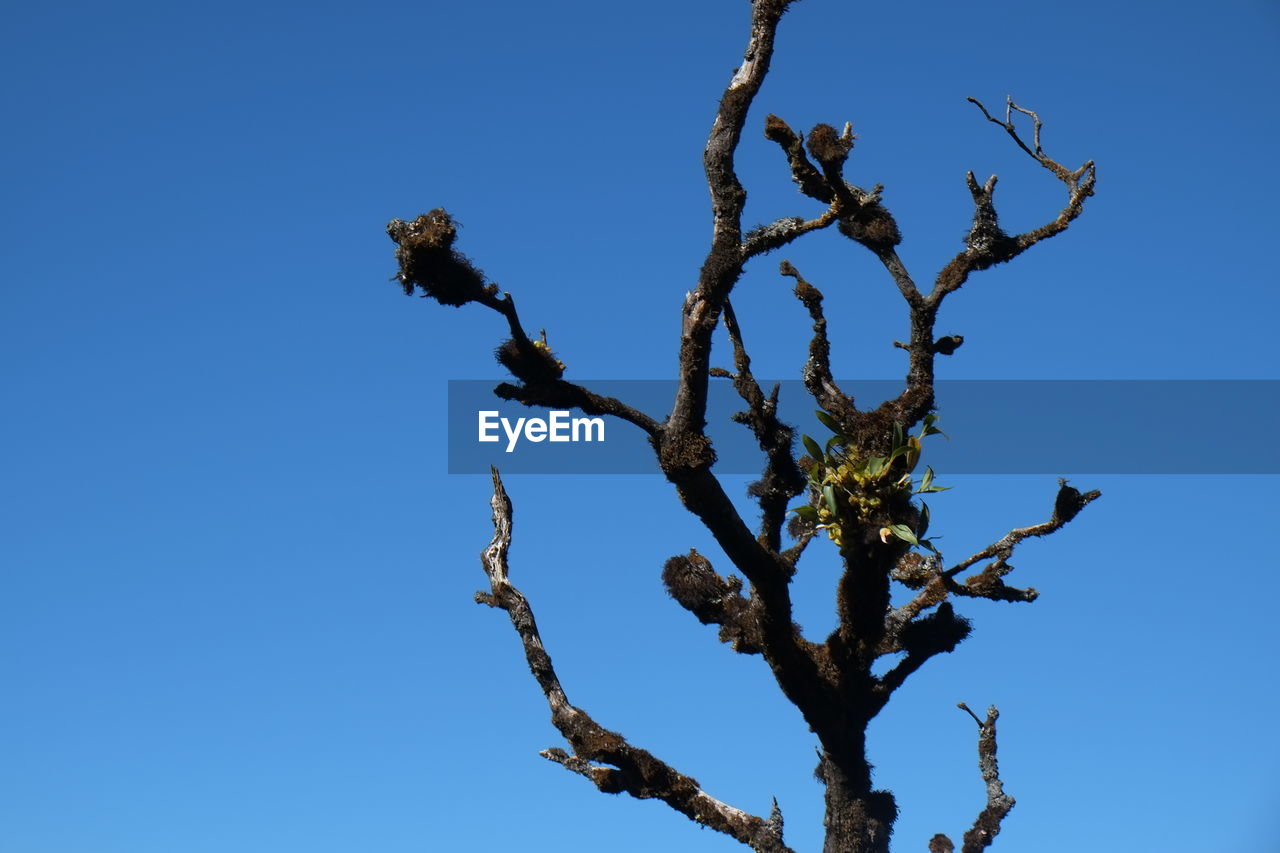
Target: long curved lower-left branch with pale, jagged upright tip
point(606, 758)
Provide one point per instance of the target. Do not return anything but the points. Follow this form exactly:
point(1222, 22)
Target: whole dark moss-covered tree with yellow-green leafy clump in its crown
point(858, 490)
